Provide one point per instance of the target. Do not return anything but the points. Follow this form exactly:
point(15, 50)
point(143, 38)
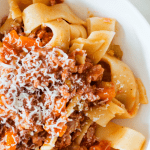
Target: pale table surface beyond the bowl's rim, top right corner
point(143, 6)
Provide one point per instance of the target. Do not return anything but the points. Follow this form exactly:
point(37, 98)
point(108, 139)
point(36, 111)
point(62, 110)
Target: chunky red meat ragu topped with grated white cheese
point(38, 71)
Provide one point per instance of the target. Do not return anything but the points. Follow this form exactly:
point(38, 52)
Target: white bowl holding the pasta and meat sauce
point(133, 34)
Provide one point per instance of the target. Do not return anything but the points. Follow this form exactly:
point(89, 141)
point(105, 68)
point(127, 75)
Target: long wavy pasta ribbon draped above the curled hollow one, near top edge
point(38, 13)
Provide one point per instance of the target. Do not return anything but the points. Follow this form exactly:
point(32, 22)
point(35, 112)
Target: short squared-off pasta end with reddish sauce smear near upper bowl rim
point(97, 24)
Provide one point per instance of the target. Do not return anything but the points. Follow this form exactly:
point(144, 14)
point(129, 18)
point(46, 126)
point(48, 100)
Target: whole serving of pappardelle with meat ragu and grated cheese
point(62, 81)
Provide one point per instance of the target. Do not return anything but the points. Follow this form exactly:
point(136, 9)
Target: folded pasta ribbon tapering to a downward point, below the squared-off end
point(96, 44)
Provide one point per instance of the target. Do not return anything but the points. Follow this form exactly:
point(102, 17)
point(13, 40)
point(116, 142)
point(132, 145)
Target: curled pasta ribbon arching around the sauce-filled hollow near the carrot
point(63, 33)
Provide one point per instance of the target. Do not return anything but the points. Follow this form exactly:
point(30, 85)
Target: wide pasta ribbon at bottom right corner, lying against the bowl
point(121, 138)
